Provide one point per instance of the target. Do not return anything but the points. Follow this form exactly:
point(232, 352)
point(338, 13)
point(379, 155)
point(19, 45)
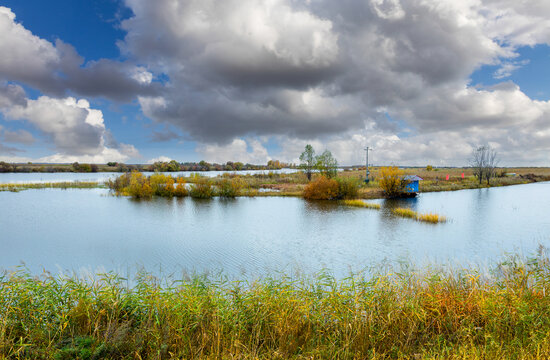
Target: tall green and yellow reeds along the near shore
point(432, 314)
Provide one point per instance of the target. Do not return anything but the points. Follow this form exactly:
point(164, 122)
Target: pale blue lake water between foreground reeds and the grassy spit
point(91, 230)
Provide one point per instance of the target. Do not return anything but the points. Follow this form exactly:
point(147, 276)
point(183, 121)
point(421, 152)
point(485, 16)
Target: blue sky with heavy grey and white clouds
point(137, 81)
